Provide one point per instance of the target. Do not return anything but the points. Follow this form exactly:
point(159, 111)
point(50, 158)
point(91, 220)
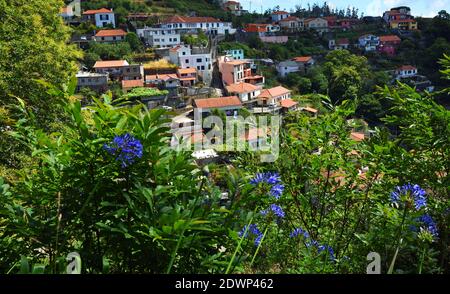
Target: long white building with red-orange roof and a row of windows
point(191, 25)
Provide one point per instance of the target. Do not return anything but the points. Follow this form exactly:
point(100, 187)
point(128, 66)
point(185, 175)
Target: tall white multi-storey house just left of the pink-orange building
point(182, 56)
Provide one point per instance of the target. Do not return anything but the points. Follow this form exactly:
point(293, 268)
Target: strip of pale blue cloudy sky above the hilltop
point(424, 8)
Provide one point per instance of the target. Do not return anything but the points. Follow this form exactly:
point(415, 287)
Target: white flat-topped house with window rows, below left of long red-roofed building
point(159, 38)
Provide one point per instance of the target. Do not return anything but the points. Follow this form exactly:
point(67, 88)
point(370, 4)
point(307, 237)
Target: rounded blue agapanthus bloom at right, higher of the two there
point(410, 193)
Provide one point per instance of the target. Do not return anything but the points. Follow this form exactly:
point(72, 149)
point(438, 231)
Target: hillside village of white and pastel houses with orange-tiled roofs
point(186, 61)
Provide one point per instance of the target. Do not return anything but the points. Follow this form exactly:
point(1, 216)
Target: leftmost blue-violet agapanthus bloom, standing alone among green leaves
point(125, 148)
